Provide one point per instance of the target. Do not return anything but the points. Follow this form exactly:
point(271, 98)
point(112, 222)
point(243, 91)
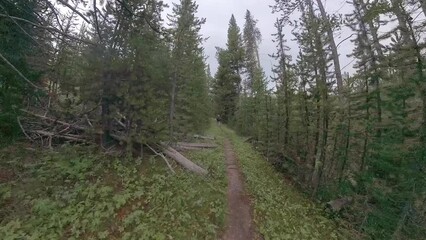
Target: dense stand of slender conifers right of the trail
point(359, 137)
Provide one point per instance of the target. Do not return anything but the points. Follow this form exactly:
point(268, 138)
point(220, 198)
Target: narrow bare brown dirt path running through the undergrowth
point(239, 220)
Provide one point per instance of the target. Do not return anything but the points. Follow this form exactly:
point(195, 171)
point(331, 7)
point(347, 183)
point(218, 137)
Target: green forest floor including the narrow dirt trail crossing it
point(75, 192)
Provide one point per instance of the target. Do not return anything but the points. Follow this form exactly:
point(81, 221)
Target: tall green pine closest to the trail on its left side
point(189, 91)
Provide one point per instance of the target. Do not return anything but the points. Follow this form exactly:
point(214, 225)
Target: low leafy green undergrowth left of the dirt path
point(77, 193)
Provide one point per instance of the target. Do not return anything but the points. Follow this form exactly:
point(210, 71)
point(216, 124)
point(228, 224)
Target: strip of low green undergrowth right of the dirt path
point(280, 211)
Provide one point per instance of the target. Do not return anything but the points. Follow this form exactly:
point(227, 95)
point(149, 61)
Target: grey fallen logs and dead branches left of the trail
point(50, 131)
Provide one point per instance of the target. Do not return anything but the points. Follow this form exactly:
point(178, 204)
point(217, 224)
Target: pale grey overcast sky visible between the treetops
point(218, 13)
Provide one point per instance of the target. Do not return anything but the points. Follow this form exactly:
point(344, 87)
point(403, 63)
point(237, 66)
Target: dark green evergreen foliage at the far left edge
point(17, 73)
